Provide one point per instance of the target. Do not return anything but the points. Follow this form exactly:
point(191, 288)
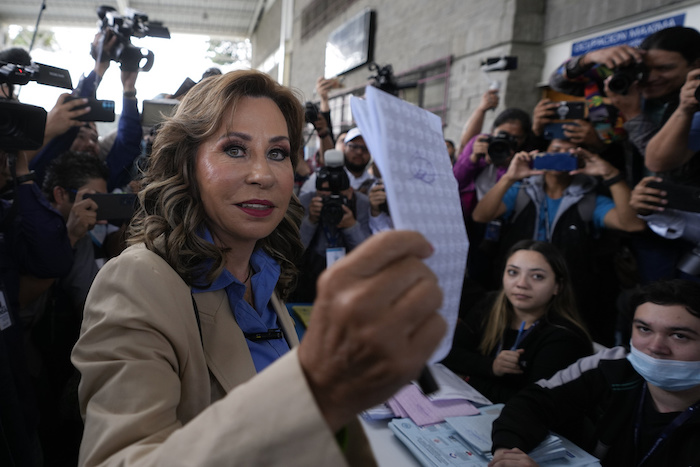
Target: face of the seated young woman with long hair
point(529, 281)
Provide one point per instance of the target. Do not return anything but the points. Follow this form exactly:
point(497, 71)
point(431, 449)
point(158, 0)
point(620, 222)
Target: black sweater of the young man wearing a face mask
point(603, 389)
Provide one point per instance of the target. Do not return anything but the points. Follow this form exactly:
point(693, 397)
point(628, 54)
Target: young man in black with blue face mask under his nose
point(644, 405)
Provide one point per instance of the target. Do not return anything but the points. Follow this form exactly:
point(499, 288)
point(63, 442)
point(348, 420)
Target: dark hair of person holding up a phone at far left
point(71, 171)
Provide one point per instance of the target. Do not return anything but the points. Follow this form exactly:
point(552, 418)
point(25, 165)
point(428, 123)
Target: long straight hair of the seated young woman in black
point(563, 304)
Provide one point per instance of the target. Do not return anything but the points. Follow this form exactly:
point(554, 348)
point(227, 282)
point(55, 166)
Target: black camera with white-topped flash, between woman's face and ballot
point(332, 177)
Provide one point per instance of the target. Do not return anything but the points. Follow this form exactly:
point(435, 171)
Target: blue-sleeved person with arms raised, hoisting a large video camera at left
point(127, 143)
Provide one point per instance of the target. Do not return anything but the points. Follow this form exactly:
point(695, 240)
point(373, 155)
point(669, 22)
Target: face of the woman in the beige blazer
point(244, 173)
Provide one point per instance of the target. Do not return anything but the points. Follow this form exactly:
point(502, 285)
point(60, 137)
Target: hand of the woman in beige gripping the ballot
point(374, 325)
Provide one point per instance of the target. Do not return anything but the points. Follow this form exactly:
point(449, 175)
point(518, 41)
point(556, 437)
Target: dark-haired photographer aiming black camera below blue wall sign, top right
point(642, 83)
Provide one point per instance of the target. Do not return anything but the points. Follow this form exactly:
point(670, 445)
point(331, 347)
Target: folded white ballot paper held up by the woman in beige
point(407, 144)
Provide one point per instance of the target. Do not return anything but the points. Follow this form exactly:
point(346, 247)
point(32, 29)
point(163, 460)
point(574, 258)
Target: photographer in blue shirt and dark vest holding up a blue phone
point(563, 208)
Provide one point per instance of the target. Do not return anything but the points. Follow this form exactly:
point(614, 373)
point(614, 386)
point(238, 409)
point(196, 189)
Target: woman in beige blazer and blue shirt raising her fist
point(187, 353)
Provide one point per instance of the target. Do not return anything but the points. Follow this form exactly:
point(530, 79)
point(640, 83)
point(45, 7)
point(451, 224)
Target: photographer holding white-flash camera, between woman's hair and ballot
point(336, 220)
